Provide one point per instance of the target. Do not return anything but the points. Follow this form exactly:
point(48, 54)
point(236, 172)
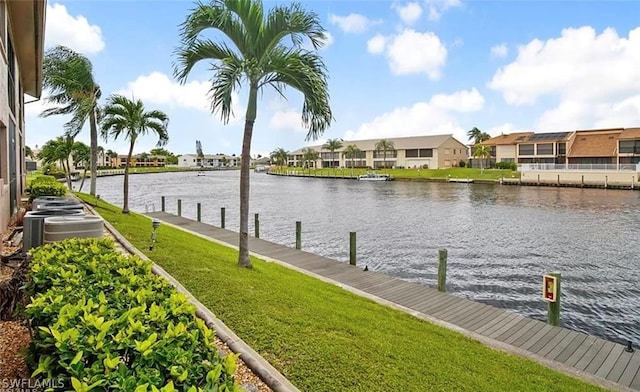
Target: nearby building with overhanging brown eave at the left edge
point(22, 46)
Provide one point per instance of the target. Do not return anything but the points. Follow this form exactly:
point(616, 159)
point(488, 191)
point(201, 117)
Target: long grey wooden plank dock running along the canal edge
point(574, 353)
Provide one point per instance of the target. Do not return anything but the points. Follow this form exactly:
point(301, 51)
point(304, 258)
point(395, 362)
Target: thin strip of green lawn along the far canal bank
point(413, 174)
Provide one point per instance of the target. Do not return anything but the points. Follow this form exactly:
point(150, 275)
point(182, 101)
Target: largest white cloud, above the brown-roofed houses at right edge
point(594, 77)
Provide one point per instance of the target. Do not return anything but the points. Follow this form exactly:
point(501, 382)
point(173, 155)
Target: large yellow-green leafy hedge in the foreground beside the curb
point(102, 319)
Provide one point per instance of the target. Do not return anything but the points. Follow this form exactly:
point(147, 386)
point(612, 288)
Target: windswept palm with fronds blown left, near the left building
point(68, 76)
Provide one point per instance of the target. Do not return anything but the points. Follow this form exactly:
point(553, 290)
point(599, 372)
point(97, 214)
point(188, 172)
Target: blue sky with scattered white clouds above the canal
point(399, 68)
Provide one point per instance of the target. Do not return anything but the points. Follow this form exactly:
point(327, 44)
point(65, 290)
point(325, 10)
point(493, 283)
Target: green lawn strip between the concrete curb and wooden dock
point(324, 338)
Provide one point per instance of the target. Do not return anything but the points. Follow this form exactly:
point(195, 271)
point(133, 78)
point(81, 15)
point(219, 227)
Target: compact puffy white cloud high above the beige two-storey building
point(412, 52)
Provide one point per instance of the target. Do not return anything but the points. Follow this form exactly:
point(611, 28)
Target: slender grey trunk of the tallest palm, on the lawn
point(243, 251)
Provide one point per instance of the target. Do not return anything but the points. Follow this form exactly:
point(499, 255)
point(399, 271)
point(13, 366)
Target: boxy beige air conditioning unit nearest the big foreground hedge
point(58, 228)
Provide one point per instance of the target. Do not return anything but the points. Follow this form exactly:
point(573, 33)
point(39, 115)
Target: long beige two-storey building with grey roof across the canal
point(434, 152)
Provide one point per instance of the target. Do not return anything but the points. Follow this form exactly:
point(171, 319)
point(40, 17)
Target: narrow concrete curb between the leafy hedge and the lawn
point(263, 369)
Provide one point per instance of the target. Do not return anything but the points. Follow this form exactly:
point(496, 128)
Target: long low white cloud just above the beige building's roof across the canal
point(422, 118)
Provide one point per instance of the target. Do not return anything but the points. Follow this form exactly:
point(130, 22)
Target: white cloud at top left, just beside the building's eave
point(74, 32)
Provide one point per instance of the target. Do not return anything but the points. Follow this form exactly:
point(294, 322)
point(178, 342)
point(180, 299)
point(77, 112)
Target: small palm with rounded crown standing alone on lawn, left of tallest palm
point(127, 118)
